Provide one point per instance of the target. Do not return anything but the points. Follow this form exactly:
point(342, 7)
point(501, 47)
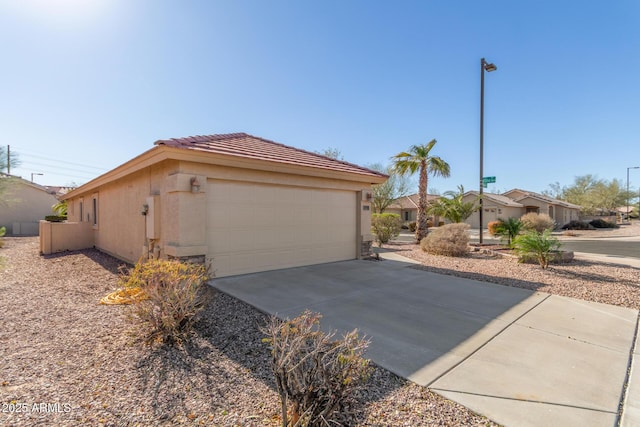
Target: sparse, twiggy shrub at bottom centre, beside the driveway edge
point(315, 373)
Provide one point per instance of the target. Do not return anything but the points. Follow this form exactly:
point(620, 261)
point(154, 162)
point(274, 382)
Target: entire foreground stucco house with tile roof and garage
point(245, 204)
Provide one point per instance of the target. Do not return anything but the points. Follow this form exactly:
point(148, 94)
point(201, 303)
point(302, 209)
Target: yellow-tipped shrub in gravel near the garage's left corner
point(174, 296)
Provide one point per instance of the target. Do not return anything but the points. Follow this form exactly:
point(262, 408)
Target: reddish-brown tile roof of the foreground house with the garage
point(251, 147)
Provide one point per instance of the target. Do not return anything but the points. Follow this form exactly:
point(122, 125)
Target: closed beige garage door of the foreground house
point(255, 227)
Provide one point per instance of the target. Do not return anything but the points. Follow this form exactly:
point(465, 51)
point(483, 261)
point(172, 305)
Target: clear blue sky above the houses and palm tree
point(87, 85)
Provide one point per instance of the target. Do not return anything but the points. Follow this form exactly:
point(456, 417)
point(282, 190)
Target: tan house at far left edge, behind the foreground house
point(24, 204)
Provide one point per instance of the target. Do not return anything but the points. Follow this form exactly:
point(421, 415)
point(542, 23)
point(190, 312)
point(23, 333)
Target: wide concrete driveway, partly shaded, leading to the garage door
point(521, 358)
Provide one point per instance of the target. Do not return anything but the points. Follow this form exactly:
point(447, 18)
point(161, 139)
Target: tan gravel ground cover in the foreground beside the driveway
point(68, 361)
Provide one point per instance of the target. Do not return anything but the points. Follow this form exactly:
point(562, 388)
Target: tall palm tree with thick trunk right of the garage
point(418, 159)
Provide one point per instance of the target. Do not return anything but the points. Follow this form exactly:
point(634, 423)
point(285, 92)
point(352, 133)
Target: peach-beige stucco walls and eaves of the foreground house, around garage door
point(181, 213)
